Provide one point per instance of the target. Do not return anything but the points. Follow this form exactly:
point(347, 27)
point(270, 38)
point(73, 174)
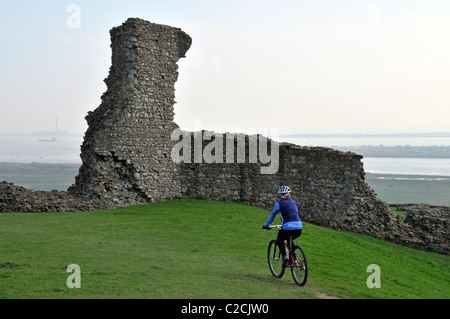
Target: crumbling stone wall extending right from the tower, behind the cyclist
point(328, 185)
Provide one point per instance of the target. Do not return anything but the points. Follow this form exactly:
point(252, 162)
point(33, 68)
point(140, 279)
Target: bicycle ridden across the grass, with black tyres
point(297, 260)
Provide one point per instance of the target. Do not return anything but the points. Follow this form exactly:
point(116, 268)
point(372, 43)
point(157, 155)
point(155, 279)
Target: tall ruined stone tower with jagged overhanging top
point(126, 149)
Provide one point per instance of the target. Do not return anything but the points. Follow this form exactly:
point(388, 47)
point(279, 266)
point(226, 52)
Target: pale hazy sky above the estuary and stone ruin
point(299, 66)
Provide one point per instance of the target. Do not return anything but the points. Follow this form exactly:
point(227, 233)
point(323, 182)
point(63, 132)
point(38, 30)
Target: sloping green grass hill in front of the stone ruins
point(198, 249)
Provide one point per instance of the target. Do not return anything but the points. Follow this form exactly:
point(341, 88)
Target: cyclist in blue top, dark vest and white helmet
point(291, 222)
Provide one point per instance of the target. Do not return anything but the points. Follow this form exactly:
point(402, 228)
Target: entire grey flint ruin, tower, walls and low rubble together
point(126, 156)
